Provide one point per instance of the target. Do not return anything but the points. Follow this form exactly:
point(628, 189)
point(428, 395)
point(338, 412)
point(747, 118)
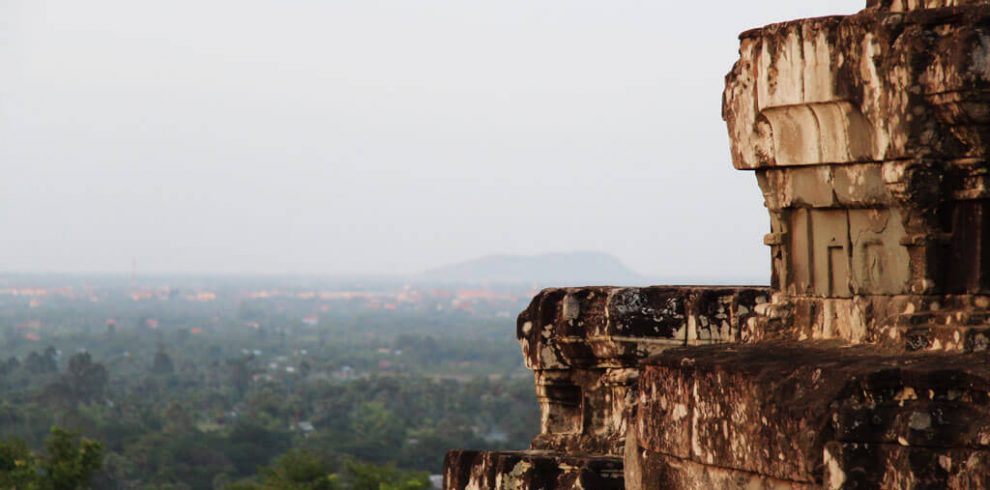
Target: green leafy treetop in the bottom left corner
point(70, 463)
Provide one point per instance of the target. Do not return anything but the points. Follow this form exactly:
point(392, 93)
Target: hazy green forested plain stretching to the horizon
point(243, 384)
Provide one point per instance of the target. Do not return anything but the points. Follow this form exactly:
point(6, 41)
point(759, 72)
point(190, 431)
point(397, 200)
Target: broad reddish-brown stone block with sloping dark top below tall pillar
point(769, 410)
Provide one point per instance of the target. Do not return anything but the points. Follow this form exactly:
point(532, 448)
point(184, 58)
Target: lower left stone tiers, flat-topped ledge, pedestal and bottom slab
point(584, 346)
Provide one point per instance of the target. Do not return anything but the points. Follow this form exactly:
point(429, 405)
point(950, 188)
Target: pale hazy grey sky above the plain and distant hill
point(367, 136)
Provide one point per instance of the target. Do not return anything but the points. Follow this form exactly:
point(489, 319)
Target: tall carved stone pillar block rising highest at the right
point(869, 137)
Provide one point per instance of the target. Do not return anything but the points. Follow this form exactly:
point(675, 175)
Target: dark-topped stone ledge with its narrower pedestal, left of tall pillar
point(584, 346)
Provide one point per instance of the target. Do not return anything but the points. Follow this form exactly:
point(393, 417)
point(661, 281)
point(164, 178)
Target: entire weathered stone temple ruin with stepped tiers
point(866, 363)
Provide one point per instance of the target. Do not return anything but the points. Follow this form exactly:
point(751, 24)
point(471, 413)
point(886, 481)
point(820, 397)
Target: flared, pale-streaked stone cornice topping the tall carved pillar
point(877, 87)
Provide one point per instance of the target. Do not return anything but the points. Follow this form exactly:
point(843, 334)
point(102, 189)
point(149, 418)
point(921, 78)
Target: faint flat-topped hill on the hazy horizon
point(554, 269)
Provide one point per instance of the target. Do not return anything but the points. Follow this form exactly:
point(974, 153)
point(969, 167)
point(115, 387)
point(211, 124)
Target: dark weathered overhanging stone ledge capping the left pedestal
point(615, 327)
